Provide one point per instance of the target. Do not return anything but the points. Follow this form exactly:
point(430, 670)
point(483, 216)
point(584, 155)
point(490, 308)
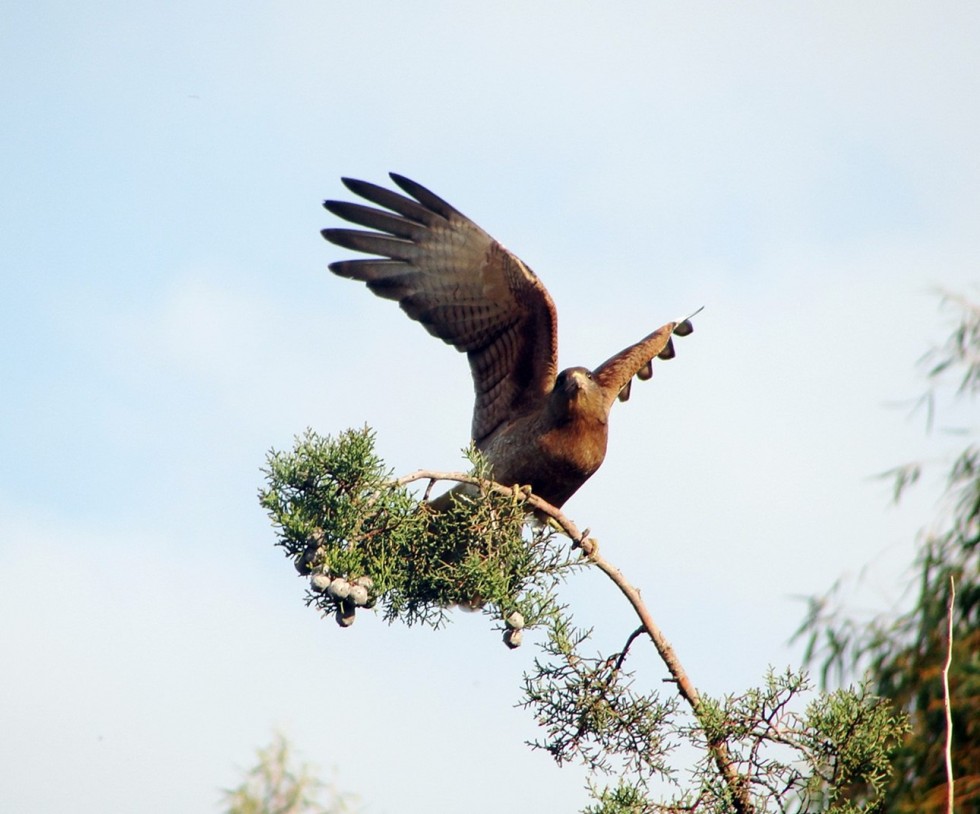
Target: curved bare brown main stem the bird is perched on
point(590, 549)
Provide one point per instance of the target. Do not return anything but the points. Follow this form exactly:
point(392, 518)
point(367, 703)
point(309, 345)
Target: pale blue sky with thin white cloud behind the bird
point(808, 173)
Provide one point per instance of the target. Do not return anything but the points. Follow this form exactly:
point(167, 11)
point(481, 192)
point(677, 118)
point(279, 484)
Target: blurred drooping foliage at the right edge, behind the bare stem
point(925, 657)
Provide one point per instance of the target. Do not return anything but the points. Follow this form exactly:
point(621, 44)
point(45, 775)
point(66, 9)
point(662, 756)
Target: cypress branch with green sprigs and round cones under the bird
point(365, 540)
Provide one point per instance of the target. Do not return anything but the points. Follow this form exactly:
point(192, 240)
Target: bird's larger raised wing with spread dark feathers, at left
point(462, 285)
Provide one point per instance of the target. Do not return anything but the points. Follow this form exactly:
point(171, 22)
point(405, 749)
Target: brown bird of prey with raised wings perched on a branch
point(535, 425)
